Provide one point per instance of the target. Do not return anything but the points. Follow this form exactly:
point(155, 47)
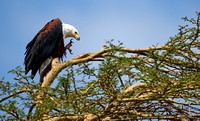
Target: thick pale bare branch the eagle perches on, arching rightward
point(90, 56)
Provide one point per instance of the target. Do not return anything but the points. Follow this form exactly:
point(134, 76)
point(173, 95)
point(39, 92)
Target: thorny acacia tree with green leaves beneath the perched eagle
point(115, 83)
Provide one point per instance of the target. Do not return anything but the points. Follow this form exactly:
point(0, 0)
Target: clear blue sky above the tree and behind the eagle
point(136, 23)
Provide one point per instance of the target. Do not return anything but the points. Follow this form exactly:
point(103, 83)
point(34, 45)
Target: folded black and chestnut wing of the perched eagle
point(43, 45)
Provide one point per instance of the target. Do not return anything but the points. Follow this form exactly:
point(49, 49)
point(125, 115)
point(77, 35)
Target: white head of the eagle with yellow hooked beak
point(70, 31)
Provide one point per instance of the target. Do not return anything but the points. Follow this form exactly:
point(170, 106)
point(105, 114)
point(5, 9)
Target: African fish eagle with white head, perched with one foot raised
point(48, 44)
